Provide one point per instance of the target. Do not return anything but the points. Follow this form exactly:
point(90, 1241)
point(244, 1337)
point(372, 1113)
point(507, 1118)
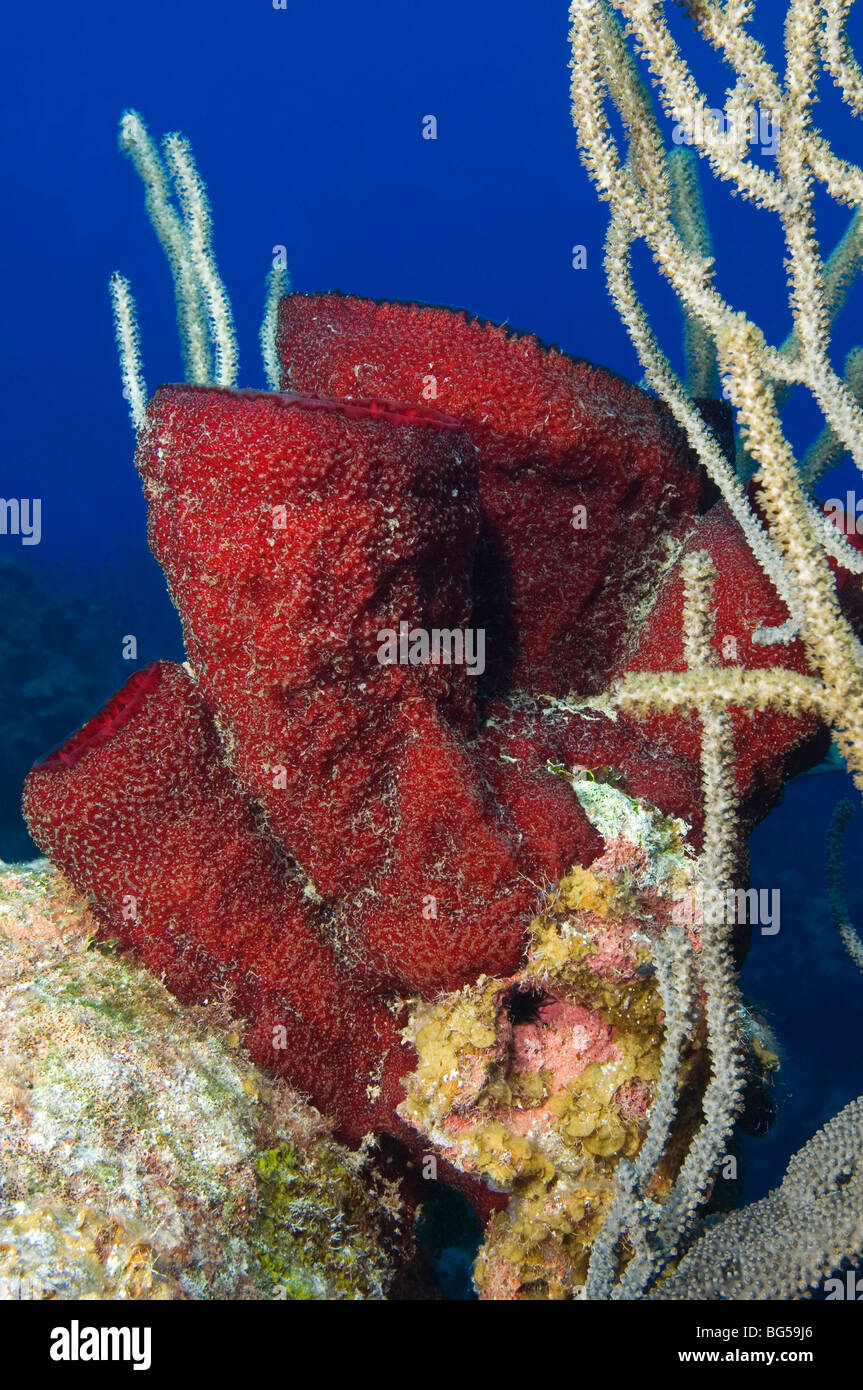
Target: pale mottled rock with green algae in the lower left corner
point(142, 1156)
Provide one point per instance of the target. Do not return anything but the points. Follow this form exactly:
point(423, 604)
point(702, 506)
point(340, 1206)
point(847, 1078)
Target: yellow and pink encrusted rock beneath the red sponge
point(543, 1082)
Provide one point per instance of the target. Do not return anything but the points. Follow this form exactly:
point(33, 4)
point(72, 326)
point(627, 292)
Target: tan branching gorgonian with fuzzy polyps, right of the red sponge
point(796, 540)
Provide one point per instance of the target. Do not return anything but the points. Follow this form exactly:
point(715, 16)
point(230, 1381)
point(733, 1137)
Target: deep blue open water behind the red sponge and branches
point(308, 129)
